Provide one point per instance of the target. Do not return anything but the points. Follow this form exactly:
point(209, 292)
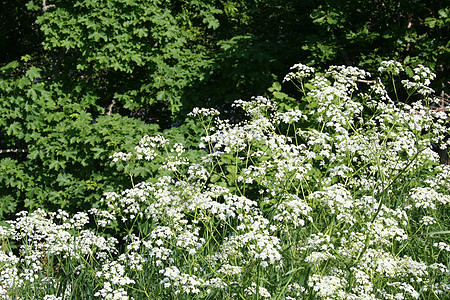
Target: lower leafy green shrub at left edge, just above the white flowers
point(54, 152)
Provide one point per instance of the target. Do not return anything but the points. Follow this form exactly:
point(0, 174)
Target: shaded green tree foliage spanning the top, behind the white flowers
point(155, 58)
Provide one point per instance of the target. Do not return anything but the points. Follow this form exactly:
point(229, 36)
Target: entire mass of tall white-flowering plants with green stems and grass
point(340, 197)
